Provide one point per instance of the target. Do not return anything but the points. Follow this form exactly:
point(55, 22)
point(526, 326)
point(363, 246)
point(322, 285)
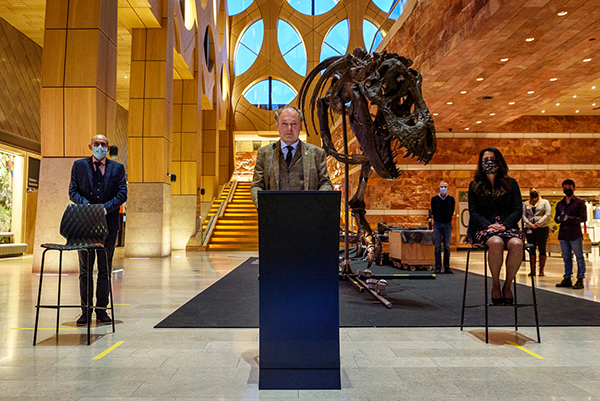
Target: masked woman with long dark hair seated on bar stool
point(495, 208)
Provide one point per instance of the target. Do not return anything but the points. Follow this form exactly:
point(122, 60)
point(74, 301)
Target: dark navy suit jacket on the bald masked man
point(115, 187)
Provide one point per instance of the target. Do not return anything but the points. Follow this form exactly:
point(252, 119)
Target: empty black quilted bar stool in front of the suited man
point(85, 229)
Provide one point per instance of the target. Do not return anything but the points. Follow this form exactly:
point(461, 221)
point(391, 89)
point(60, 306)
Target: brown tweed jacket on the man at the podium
point(266, 169)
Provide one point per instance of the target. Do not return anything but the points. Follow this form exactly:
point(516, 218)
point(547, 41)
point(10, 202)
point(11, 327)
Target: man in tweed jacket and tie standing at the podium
point(290, 164)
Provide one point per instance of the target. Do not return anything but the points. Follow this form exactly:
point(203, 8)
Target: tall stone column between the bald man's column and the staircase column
point(150, 139)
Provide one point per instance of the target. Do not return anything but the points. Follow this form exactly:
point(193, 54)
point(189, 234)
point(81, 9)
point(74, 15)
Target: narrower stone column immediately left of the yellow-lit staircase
point(187, 157)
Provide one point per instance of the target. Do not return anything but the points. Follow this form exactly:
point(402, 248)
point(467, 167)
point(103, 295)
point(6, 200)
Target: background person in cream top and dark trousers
point(536, 215)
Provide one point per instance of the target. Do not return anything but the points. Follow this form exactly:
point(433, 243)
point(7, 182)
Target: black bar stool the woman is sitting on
point(484, 248)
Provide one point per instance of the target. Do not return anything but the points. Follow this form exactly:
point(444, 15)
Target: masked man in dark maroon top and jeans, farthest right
point(570, 213)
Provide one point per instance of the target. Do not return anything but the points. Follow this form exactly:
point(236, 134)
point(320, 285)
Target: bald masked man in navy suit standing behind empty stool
point(94, 180)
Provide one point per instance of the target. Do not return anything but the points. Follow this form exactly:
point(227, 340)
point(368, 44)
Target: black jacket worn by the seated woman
point(483, 209)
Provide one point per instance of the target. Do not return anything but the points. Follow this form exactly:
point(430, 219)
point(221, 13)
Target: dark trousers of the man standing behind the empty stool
point(103, 272)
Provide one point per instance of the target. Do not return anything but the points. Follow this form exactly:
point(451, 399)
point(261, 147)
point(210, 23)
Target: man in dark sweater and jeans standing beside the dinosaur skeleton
point(442, 208)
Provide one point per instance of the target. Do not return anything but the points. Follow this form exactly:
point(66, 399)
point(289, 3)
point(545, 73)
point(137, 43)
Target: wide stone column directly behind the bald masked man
point(79, 65)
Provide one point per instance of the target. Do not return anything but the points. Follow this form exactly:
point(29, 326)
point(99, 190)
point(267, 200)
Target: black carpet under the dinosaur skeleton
point(232, 302)
